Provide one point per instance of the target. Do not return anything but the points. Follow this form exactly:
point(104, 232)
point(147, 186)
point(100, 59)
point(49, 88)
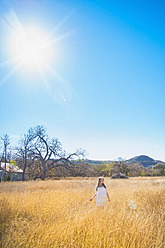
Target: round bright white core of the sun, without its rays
point(30, 48)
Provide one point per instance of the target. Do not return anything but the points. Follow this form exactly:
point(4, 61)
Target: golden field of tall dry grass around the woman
point(59, 214)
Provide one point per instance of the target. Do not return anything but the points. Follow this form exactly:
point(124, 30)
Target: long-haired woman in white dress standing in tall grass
point(101, 193)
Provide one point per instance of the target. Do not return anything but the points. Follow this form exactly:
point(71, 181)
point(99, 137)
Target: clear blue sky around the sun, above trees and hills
point(105, 90)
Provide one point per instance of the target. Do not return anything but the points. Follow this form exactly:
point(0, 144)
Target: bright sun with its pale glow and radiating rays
point(31, 53)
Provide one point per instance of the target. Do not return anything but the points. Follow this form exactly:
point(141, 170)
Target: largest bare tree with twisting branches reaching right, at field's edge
point(47, 152)
